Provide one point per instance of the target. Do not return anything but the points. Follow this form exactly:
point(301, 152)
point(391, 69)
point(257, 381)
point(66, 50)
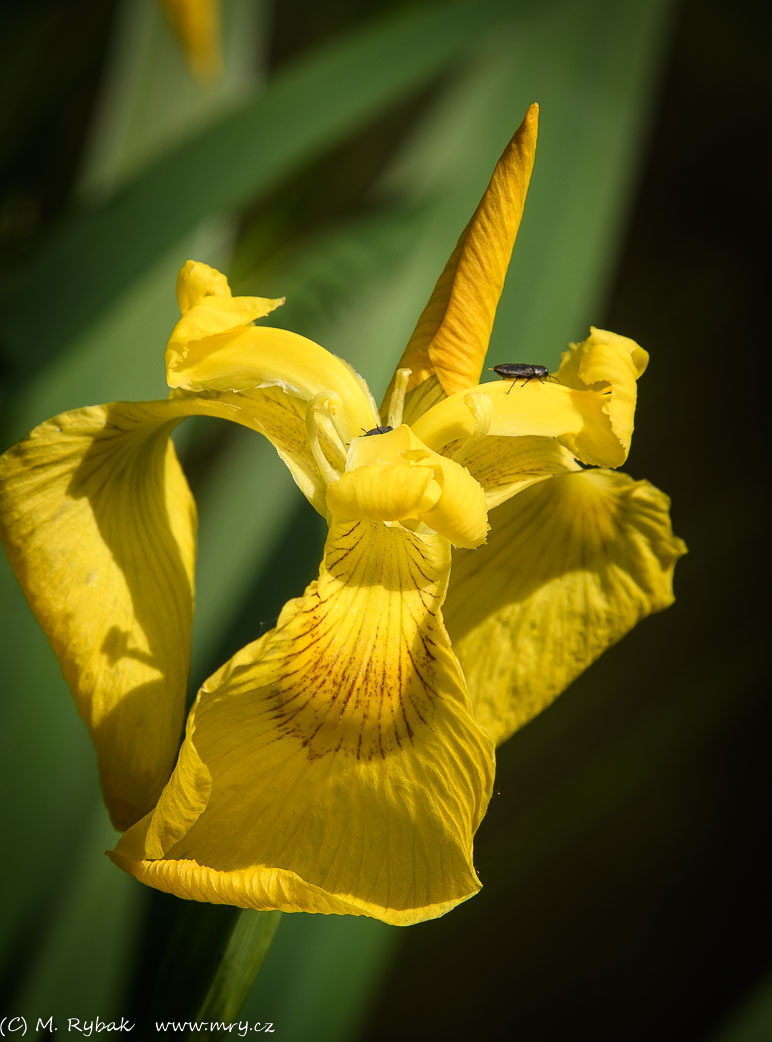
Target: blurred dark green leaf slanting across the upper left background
point(101, 252)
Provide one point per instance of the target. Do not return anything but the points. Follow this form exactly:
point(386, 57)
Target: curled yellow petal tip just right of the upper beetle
point(605, 368)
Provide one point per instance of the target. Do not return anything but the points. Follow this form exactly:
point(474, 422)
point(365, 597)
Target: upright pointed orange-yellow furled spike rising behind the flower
point(451, 339)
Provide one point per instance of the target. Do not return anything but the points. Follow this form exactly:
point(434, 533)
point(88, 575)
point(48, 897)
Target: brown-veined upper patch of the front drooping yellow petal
point(358, 664)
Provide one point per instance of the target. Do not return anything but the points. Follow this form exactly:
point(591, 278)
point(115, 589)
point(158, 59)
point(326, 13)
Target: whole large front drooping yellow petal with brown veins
point(334, 766)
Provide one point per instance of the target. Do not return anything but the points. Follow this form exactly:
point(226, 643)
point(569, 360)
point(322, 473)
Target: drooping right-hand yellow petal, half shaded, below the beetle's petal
point(571, 565)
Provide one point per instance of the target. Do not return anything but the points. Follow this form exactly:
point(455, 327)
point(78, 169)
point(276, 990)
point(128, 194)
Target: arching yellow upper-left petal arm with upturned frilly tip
point(214, 349)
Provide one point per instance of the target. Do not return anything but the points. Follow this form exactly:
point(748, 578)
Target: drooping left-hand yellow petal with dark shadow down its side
point(99, 526)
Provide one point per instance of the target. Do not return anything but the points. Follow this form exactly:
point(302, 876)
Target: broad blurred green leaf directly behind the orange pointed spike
point(360, 286)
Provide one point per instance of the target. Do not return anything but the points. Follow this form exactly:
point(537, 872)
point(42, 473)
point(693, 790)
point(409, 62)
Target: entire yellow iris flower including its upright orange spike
point(343, 762)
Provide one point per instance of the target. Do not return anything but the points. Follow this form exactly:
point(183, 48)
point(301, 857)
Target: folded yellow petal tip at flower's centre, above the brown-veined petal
point(395, 478)
